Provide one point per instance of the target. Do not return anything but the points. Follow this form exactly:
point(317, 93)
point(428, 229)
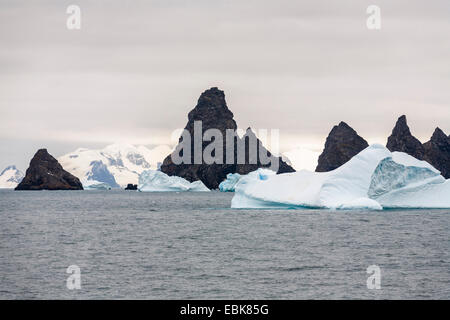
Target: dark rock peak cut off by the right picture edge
point(437, 152)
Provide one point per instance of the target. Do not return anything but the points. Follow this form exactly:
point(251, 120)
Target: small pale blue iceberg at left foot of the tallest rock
point(157, 181)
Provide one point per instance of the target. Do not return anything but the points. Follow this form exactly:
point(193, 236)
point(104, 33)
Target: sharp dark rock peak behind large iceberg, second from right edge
point(402, 140)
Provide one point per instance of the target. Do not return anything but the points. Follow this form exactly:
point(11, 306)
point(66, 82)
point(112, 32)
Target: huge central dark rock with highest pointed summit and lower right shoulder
point(211, 112)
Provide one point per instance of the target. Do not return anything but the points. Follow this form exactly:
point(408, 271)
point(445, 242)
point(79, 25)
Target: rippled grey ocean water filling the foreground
point(193, 246)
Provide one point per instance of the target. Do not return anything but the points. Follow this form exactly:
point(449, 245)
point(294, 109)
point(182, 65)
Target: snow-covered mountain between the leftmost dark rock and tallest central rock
point(116, 165)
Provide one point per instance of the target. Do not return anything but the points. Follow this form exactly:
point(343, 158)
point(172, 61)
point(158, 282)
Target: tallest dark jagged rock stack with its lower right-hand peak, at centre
point(213, 113)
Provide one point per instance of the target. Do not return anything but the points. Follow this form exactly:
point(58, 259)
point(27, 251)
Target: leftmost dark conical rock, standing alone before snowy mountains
point(45, 173)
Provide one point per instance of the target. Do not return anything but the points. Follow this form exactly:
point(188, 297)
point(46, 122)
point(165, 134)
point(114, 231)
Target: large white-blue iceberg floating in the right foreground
point(375, 178)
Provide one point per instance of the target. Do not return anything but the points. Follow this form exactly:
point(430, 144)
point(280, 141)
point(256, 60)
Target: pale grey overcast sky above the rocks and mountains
point(136, 68)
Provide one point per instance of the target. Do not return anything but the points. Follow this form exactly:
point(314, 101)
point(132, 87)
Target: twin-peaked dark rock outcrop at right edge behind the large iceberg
point(436, 151)
